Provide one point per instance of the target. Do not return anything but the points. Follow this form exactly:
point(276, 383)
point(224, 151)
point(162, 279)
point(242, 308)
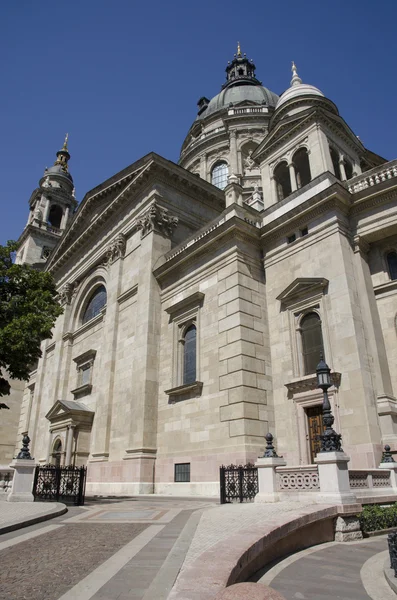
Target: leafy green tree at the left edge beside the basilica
point(28, 311)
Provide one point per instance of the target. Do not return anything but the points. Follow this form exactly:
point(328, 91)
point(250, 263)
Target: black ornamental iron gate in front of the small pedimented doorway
point(54, 483)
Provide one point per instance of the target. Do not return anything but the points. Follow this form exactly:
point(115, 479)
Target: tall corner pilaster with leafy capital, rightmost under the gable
point(156, 227)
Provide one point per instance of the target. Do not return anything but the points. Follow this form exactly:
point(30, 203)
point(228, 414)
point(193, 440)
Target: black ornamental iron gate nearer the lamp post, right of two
point(238, 483)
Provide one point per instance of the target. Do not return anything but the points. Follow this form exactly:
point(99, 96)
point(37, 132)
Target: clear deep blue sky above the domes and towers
point(123, 77)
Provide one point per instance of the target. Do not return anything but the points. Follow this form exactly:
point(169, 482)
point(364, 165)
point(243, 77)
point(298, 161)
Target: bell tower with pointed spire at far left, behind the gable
point(51, 205)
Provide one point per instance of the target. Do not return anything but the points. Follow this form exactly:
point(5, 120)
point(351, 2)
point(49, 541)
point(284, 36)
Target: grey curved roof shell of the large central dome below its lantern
point(240, 93)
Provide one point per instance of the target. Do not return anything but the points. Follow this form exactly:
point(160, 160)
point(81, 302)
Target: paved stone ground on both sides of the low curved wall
point(135, 549)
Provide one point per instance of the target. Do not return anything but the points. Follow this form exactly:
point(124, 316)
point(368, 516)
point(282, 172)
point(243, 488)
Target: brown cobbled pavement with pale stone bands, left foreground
point(106, 550)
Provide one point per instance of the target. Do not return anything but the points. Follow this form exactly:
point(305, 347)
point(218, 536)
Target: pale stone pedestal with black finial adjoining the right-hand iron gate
point(267, 476)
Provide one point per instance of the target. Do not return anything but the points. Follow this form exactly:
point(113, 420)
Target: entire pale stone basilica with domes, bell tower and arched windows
point(199, 296)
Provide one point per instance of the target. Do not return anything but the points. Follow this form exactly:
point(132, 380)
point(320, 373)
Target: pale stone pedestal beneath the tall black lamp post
point(333, 475)
